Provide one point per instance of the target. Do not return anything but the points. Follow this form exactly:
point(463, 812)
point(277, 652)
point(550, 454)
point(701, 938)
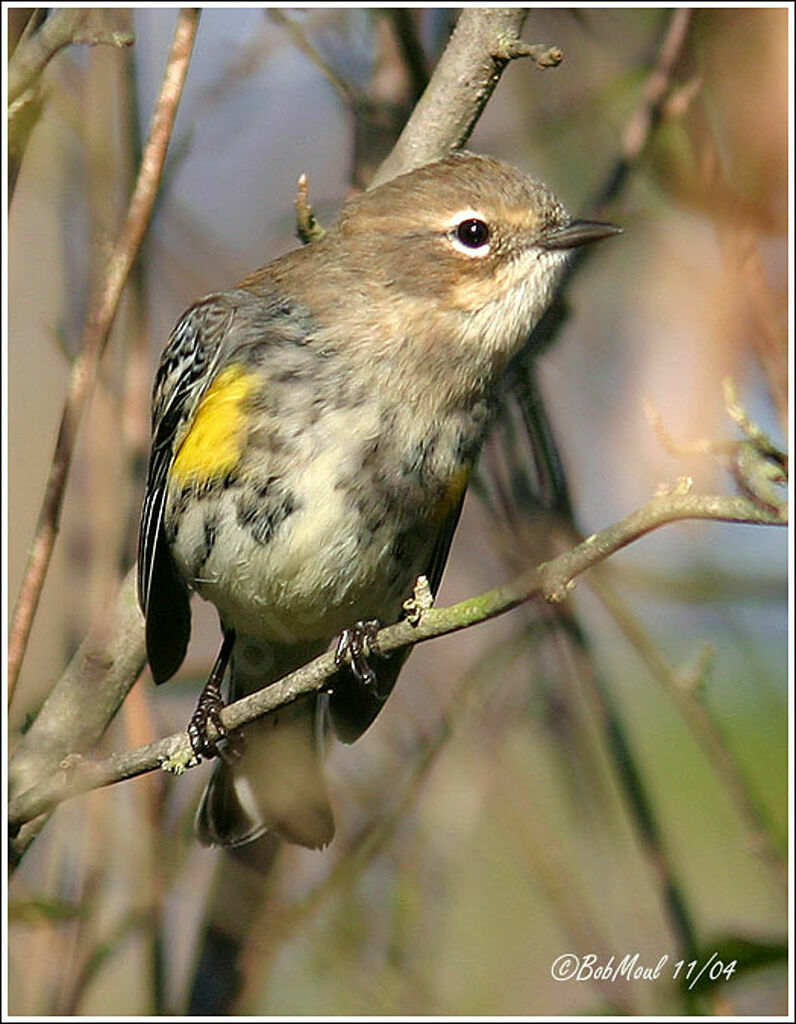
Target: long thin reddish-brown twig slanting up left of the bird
point(98, 327)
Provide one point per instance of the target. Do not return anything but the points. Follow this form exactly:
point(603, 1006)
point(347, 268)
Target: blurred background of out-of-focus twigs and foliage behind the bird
point(611, 780)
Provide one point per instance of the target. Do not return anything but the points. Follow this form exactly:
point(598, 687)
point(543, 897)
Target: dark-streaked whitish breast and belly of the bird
point(327, 525)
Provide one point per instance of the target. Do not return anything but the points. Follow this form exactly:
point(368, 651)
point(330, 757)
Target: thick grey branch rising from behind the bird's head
point(483, 44)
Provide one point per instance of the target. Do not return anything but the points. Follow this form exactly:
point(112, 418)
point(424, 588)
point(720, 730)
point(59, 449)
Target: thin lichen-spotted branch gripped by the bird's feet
point(552, 581)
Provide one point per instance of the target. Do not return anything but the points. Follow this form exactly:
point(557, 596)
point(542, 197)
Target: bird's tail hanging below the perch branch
point(278, 785)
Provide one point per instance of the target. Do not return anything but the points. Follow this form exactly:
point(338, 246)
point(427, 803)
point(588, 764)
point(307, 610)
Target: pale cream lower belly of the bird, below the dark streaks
point(322, 570)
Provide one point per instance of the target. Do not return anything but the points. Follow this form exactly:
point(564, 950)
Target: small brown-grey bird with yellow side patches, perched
point(314, 431)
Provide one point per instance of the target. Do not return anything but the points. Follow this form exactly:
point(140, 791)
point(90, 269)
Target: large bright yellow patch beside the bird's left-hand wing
point(216, 440)
